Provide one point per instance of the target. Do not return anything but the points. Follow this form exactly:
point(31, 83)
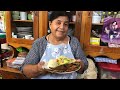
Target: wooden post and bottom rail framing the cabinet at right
point(94, 50)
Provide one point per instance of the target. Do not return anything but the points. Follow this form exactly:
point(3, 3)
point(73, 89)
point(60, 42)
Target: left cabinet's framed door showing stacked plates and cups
point(21, 27)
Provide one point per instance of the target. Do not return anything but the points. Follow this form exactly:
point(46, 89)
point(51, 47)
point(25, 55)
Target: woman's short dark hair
point(56, 14)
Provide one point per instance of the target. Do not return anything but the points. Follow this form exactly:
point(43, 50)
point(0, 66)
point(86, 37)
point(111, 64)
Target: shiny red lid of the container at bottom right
point(109, 66)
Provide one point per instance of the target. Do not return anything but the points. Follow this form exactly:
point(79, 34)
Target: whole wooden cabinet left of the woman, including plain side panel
point(20, 28)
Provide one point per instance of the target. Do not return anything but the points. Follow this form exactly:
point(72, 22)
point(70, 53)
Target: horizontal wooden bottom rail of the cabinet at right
point(95, 51)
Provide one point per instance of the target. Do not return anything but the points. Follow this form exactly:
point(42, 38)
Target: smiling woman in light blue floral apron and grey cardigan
point(55, 44)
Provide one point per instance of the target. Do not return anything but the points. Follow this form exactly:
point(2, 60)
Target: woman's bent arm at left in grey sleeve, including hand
point(31, 67)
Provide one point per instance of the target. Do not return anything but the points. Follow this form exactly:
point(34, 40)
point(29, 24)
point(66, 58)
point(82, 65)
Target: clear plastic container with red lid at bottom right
point(109, 71)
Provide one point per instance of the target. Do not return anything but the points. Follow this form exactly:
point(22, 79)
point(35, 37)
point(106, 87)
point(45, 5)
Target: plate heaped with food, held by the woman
point(63, 64)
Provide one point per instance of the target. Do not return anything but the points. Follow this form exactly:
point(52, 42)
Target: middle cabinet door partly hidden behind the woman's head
point(74, 25)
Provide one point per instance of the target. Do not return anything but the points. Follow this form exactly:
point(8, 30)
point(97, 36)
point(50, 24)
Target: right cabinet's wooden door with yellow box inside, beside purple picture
point(92, 28)
